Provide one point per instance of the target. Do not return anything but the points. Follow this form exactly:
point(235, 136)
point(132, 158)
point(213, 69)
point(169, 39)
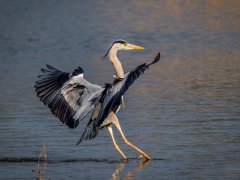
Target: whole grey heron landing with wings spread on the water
point(71, 97)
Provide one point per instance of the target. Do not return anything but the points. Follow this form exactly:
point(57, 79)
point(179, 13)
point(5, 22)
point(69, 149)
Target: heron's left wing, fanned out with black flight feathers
point(69, 96)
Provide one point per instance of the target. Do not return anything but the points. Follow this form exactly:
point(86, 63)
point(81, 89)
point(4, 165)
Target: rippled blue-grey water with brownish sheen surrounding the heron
point(185, 112)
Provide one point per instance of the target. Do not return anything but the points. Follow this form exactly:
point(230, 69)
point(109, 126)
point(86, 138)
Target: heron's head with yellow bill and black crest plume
point(121, 45)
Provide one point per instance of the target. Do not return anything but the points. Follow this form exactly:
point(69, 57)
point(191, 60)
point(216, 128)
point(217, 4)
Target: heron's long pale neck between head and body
point(116, 63)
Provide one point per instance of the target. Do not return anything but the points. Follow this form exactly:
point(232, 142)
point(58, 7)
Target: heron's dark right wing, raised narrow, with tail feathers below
point(110, 99)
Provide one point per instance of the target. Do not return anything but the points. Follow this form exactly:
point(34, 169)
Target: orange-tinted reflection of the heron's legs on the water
point(130, 173)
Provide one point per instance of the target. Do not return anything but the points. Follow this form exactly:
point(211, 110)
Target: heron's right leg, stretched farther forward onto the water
point(117, 124)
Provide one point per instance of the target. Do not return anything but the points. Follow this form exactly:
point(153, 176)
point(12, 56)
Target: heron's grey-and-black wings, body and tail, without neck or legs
point(71, 98)
